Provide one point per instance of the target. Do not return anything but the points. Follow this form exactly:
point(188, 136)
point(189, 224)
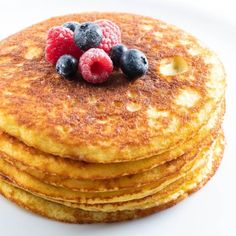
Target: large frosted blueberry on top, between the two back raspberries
point(87, 35)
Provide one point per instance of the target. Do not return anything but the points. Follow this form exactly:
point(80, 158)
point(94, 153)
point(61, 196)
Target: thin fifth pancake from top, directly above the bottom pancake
point(193, 177)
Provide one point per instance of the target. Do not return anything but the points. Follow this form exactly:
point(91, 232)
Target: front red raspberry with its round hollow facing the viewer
point(95, 66)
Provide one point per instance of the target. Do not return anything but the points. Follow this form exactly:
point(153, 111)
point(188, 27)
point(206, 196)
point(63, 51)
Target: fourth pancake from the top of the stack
point(33, 185)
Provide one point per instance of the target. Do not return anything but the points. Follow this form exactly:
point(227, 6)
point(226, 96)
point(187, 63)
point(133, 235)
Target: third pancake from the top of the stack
point(156, 174)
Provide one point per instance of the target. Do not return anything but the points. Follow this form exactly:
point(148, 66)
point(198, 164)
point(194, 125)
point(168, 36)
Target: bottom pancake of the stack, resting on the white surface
point(66, 214)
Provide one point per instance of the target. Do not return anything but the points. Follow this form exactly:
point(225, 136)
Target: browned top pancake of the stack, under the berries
point(118, 120)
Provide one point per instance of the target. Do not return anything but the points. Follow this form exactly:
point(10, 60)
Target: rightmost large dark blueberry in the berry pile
point(133, 63)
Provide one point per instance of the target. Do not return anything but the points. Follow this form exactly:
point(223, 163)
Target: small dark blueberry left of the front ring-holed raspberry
point(67, 66)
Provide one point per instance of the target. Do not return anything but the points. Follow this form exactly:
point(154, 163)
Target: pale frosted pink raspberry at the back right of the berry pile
point(111, 35)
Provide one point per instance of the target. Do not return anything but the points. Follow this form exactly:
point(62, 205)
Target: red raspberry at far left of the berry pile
point(60, 42)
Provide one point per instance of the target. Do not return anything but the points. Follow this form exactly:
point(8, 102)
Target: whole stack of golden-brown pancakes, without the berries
point(77, 152)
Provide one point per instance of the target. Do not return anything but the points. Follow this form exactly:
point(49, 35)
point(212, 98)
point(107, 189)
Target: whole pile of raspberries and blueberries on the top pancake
point(92, 49)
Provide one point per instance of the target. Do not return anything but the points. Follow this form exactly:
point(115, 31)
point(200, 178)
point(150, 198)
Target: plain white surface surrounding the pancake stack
point(207, 212)
